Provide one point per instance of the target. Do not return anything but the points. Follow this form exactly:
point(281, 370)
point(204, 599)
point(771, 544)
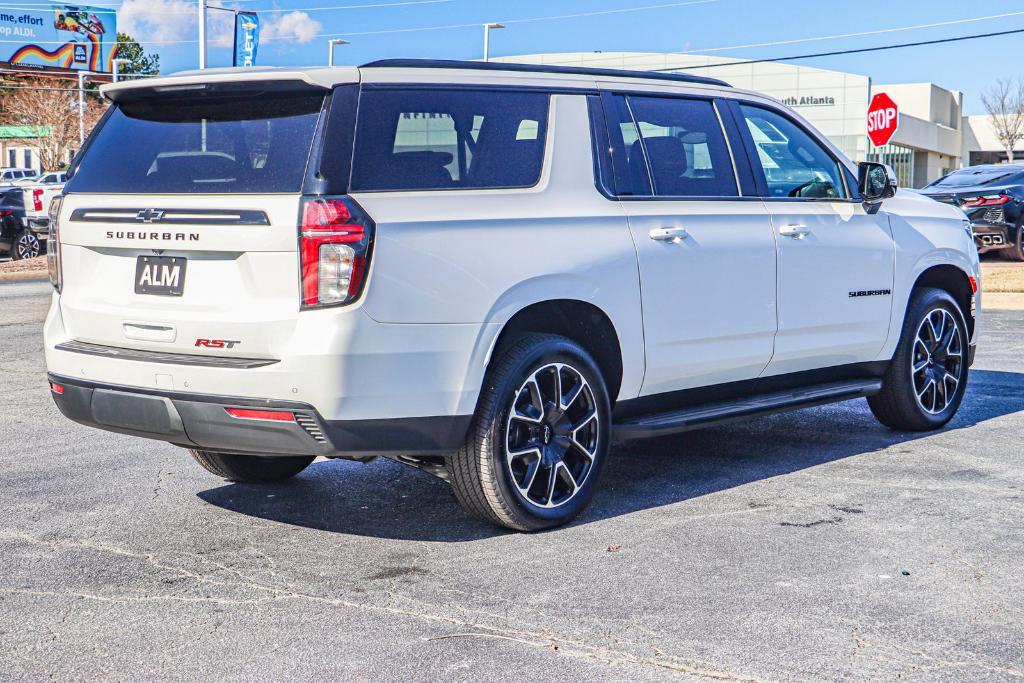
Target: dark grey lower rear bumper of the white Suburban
point(201, 421)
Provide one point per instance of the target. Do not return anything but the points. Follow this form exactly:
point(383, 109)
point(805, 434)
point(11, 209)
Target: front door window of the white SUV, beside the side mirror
point(795, 164)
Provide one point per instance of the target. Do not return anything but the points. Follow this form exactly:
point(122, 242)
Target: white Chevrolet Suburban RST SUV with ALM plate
point(487, 272)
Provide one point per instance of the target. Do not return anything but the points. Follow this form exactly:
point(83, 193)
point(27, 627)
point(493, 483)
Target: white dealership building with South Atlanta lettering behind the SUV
point(933, 139)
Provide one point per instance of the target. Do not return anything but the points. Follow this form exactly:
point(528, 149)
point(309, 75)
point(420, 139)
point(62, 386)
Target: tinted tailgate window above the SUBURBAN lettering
point(202, 146)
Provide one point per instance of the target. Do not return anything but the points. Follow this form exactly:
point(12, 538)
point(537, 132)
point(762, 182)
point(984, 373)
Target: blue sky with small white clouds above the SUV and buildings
point(296, 33)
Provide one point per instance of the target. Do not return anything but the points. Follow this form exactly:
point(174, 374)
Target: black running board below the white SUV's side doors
point(712, 414)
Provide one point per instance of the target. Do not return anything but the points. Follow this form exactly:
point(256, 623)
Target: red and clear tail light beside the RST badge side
point(335, 242)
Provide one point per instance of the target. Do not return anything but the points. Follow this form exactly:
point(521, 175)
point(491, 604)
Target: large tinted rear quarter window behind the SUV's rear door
point(418, 140)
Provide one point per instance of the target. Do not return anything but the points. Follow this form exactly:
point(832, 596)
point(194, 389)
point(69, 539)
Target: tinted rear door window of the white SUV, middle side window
point(686, 148)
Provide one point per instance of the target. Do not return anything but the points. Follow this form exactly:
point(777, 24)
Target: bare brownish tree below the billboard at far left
point(49, 109)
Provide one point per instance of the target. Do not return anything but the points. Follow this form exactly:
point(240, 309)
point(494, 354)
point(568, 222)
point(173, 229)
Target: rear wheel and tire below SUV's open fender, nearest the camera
point(528, 469)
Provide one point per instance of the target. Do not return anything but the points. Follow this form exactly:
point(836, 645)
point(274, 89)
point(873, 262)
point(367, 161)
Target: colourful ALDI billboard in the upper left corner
point(59, 37)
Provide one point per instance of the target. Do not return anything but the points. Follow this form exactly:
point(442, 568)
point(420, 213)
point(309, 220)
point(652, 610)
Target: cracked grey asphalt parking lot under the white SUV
point(810, 546)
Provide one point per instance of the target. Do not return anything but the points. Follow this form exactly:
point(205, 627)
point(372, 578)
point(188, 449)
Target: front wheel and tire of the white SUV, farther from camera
point(932, 354)
